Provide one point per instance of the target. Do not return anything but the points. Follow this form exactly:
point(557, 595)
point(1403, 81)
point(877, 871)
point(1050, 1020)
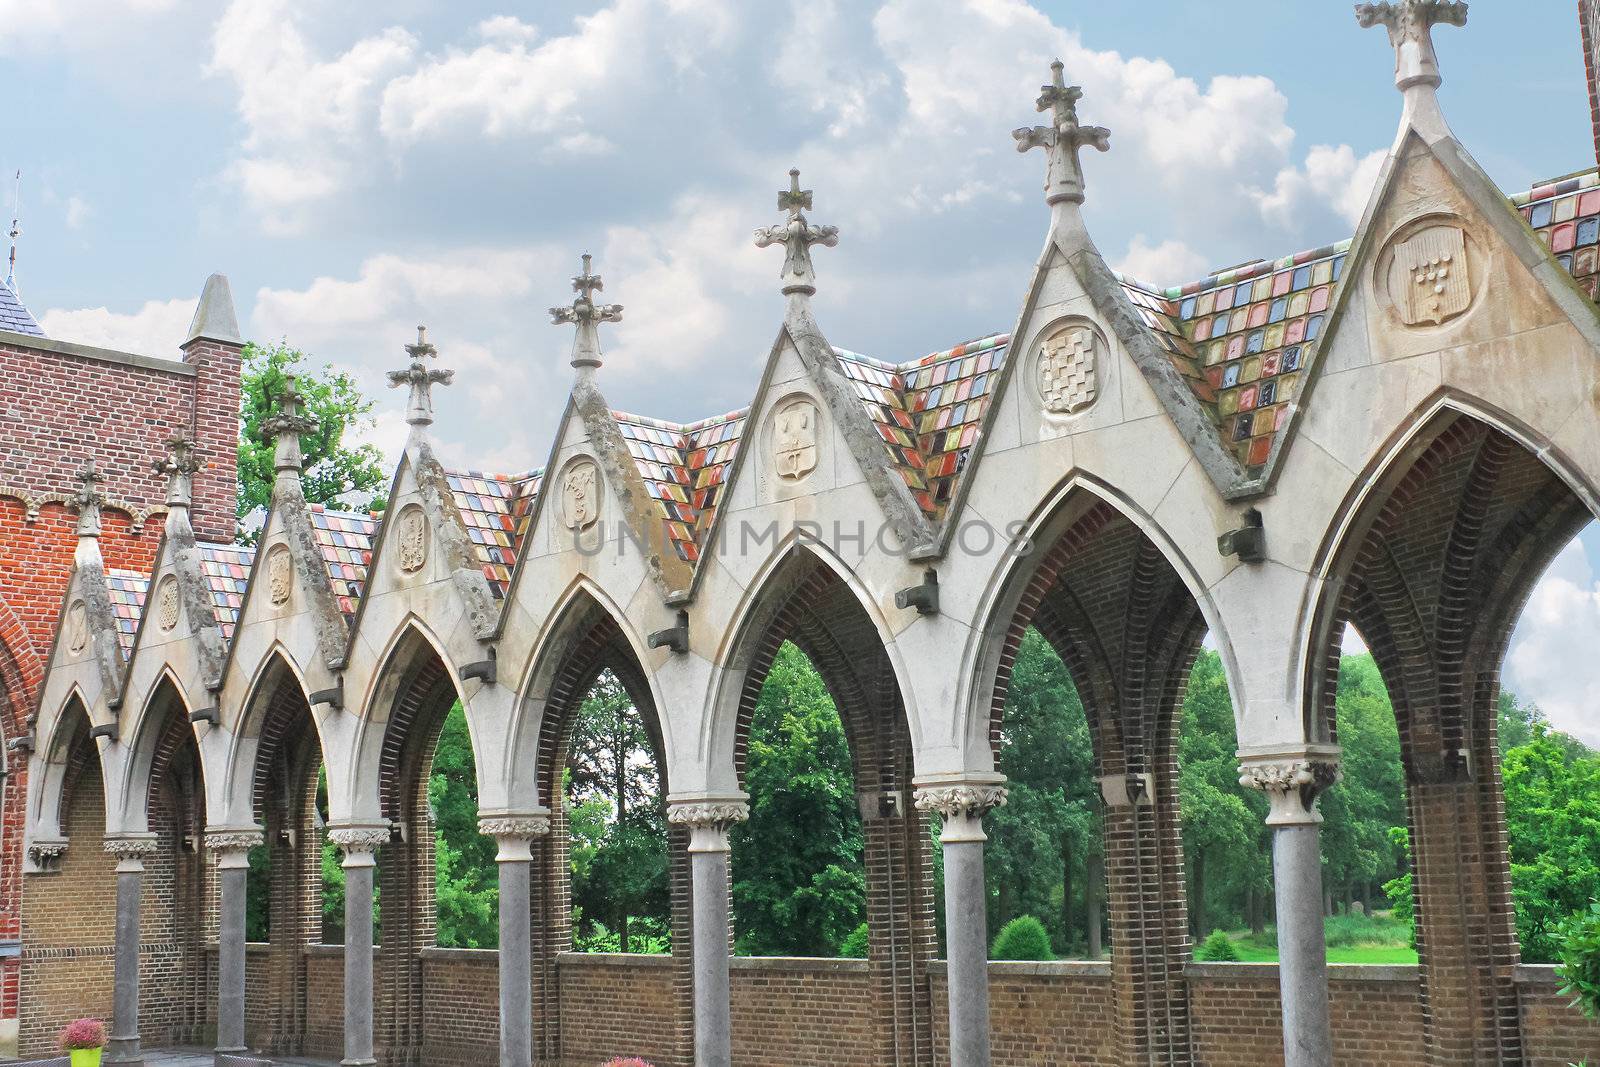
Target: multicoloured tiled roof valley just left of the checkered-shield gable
point(929, 412)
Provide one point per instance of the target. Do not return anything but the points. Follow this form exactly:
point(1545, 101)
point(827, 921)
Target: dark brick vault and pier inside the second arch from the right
point(1127, 628)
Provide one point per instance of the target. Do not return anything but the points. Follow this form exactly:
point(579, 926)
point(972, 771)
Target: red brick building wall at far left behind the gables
point(60, 406)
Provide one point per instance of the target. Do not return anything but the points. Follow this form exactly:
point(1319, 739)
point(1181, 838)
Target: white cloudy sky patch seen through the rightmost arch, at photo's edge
point(1551, 660)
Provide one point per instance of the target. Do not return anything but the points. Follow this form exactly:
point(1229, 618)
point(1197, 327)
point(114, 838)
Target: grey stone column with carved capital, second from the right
point(966, 913)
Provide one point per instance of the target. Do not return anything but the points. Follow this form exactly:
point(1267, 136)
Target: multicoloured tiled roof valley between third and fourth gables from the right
point(684, 466)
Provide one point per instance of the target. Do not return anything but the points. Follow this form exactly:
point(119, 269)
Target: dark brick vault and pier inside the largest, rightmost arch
point(1438, 567)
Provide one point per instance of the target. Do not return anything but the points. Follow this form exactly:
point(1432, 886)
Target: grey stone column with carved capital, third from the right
point(710, 823)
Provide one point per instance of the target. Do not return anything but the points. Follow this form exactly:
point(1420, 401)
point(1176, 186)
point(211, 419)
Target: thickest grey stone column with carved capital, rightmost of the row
point(1292, 786)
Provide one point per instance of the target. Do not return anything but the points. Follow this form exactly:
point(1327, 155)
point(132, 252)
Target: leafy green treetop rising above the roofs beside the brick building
point(337, 471)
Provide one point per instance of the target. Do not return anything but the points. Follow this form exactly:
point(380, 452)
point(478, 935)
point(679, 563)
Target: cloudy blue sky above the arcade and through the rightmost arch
point(362, 169)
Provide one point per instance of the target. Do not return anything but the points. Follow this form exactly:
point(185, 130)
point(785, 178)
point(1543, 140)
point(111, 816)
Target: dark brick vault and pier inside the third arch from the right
point(809, 604)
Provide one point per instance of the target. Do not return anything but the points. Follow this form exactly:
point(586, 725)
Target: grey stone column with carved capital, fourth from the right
point(514, 834)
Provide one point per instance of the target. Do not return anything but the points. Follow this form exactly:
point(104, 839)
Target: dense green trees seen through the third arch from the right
point(799, 881)
